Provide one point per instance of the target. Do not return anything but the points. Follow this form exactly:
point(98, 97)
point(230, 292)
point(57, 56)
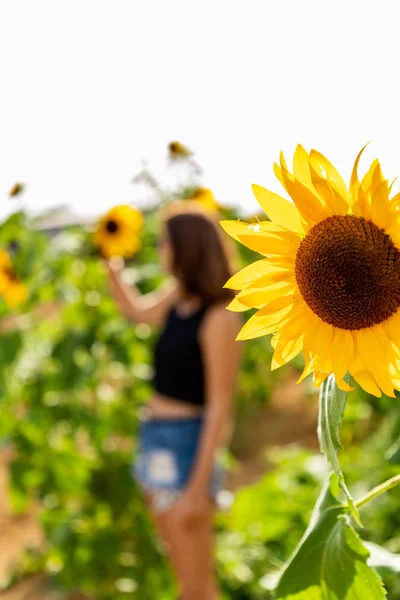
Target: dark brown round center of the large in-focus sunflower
point(348, 272)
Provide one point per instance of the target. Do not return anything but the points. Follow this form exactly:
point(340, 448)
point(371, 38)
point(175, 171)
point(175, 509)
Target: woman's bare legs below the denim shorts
point(191, 554)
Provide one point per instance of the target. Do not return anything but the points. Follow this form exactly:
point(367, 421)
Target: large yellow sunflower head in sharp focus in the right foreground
point(329, 284)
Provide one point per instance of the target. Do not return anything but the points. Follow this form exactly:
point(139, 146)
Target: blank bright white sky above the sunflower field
point(91, 87)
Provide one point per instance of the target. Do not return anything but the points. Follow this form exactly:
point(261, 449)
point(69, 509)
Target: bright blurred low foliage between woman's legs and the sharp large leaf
point(265, 522)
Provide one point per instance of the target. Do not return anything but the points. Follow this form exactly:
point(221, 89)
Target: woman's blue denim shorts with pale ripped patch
point(167, 449)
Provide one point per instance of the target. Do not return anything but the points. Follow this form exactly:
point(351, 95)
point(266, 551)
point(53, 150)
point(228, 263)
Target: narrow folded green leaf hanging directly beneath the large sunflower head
point(332, 402)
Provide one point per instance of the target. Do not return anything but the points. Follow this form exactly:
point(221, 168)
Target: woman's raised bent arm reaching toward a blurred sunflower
point(150, 308)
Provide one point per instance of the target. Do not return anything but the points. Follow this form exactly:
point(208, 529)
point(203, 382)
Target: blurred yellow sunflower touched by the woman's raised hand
point(118, 231)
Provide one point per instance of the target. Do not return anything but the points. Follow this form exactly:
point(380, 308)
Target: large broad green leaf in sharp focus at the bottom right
point(330, 562)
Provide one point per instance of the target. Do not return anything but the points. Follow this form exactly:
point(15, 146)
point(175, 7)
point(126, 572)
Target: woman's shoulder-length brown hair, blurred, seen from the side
point(200, 259)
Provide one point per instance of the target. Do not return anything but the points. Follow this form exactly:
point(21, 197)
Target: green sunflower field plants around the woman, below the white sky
point(74, 375)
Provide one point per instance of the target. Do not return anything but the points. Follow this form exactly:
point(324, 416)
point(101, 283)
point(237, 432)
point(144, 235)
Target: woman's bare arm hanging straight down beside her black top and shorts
point(221, 360)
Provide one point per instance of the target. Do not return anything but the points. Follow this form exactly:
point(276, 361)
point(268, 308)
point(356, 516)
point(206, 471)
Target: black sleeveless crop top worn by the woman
point(178, 363)
